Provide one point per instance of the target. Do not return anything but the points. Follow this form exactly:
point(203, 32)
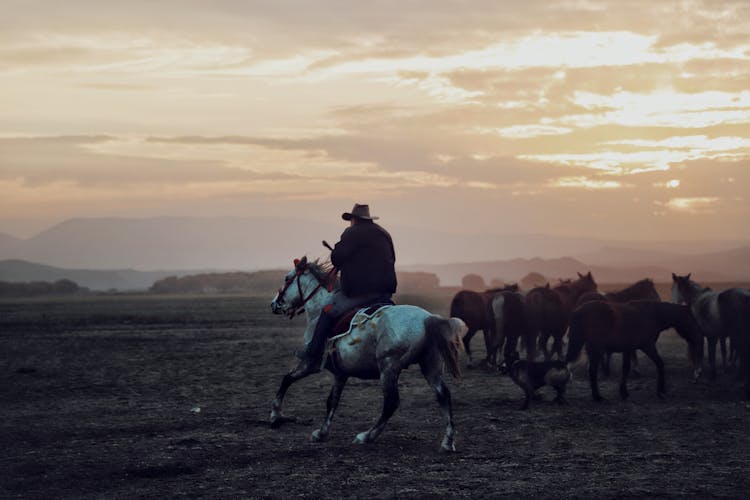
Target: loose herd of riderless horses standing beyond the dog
point(615, 322)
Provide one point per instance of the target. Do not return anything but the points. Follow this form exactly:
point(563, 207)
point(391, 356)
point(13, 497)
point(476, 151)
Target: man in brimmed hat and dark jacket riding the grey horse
point(366, 259)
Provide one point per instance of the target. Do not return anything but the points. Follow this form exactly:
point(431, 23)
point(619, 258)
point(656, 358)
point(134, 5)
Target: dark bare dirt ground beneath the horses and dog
point(142, 397)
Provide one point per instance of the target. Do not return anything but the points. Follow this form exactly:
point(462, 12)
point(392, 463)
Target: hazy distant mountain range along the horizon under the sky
point(143, 250)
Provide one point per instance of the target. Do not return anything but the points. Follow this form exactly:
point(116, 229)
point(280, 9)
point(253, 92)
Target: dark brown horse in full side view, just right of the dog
point(610, 326)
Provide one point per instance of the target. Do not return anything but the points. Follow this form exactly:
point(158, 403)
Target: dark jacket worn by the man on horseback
point(366, 259)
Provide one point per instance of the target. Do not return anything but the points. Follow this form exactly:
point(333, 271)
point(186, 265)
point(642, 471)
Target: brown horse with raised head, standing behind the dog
point(548, 310)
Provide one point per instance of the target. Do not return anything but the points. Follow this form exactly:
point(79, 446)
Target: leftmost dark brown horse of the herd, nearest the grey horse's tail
point(475, 309)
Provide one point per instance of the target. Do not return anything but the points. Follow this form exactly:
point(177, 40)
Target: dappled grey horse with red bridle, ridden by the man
point(378, 347)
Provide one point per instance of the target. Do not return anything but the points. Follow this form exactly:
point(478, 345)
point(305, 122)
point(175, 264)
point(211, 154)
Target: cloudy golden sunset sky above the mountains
point(622, 120)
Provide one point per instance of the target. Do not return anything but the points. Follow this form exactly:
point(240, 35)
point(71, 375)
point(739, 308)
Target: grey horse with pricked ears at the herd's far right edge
point(720, 314)
